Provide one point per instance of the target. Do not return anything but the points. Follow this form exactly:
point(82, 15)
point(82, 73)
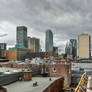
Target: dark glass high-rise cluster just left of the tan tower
point(71, 47)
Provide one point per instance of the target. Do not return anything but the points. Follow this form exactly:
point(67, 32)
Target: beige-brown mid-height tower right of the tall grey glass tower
point(34, 44)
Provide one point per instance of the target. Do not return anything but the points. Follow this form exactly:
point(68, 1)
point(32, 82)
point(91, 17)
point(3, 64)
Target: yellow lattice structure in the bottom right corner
point(82, 86)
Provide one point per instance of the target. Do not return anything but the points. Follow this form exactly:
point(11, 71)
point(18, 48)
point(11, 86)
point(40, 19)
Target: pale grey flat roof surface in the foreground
point(27, 86)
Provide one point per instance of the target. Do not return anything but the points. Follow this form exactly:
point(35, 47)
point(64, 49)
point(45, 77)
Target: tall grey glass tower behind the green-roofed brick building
point(22, 36)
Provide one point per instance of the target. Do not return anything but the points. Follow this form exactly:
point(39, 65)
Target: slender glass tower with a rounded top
point(49, 41)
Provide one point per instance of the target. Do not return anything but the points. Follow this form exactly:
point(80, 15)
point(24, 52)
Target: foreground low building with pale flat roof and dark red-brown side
point(43, 85)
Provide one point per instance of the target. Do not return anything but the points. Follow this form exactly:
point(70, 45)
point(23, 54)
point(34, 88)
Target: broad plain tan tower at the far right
point(84, 46)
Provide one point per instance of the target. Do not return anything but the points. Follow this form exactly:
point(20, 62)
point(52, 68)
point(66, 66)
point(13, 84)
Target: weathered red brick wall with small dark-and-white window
point(61, 70)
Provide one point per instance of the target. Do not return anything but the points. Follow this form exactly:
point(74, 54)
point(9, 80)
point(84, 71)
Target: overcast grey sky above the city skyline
point(66, 18)
